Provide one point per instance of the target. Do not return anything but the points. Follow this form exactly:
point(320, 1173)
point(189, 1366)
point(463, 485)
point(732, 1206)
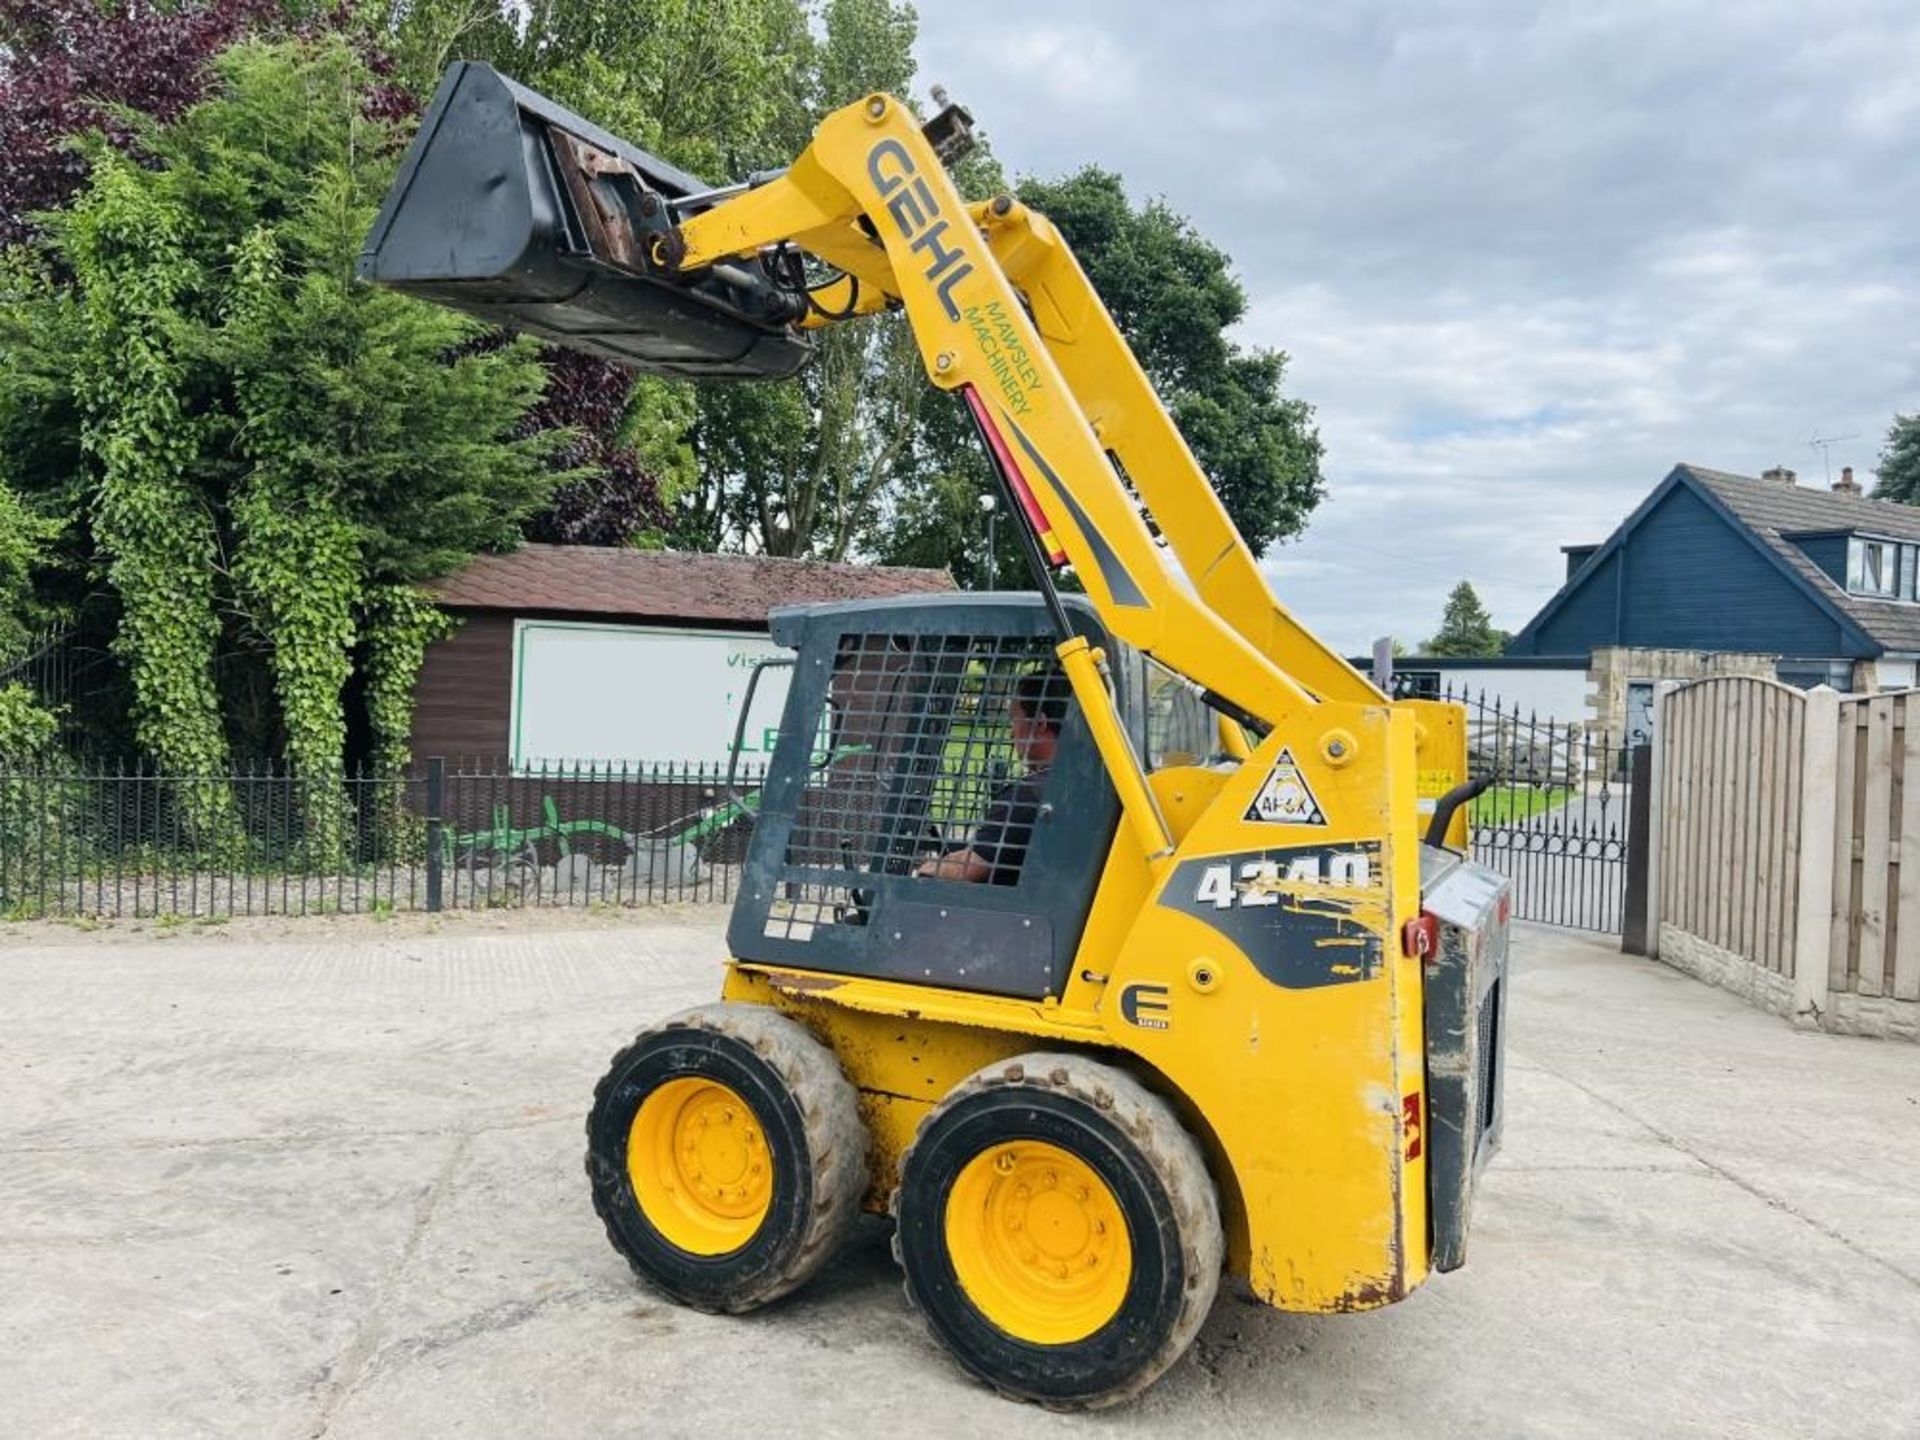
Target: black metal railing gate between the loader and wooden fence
point(1556, 819)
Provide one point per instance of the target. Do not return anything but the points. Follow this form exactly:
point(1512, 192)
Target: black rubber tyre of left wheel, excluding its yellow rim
point(809, 1115)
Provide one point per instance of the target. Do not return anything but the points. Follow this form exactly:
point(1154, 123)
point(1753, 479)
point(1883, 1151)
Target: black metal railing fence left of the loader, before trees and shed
point(87, 842)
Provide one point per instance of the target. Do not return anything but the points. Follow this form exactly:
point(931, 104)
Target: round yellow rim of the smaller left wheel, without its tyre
point(700, 1166)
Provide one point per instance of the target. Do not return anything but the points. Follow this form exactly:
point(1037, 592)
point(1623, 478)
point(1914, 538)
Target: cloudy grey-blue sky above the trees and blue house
point(1524, 256)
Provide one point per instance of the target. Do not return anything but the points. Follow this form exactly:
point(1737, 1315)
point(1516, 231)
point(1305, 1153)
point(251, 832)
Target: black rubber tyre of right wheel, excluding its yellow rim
point(1157, 1172)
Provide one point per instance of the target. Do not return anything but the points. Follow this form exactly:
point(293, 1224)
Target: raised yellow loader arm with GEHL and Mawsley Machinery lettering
point(1005, 316)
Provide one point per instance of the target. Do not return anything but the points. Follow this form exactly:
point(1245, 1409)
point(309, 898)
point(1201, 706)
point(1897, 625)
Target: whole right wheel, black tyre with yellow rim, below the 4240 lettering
point(1007, 1232)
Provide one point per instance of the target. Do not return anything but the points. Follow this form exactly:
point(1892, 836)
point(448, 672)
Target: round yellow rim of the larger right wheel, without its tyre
point(1040, 1243)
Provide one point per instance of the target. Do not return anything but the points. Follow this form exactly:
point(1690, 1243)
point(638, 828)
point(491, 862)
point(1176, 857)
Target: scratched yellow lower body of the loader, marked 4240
point(1305, 1093)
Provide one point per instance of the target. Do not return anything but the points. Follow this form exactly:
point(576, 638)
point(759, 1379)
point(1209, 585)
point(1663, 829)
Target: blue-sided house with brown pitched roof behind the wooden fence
point(1750, 575)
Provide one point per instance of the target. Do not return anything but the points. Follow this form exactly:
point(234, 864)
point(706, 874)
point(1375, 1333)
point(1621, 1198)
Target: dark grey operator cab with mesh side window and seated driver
point(898, 748)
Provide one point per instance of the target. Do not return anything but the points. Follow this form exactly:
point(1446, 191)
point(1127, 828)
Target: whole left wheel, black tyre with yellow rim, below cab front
point(727, 1157)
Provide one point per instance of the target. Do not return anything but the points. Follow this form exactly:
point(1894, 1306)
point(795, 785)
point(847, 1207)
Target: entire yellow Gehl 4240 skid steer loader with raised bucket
point(1093, 938)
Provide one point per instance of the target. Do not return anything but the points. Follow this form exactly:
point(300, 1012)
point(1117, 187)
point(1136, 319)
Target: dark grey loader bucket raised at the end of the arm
point(516, 210)
